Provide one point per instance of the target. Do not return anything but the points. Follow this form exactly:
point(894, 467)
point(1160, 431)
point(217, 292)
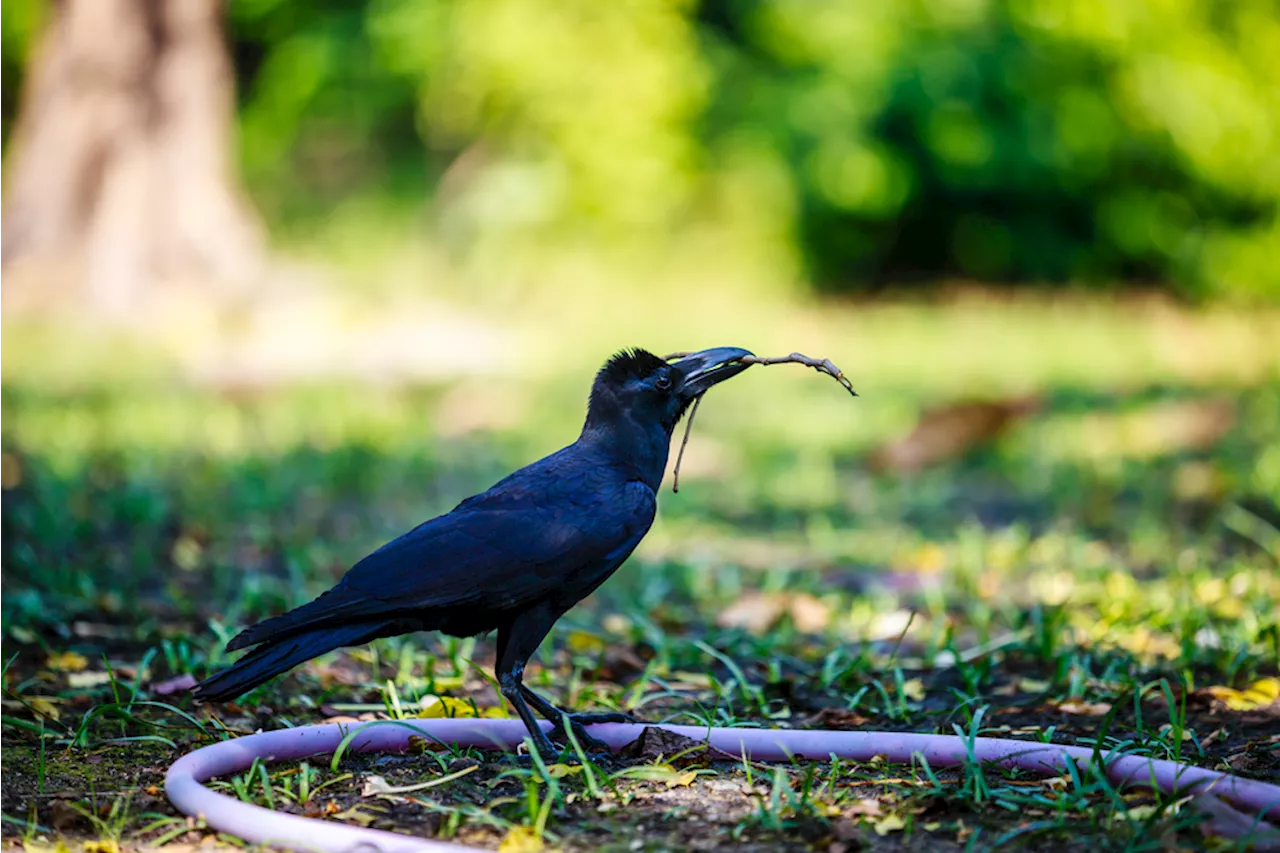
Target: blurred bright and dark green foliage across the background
point(884, 140)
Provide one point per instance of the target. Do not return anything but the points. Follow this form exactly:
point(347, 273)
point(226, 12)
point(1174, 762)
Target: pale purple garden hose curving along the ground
point(184, 784)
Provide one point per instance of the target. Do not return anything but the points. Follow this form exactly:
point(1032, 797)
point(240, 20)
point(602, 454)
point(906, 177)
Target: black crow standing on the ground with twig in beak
point(514, 559)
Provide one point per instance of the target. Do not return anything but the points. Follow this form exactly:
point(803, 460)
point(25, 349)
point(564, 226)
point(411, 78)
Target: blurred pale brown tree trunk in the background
point(121, 163)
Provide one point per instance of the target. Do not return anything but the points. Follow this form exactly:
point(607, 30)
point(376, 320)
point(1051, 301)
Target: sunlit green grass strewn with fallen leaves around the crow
point(1101, 553)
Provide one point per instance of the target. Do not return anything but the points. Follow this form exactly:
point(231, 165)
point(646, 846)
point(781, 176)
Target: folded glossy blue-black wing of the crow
point(499, 551)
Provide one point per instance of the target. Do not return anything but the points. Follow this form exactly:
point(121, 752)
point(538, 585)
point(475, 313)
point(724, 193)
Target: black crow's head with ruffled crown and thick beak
point(639, 387)
